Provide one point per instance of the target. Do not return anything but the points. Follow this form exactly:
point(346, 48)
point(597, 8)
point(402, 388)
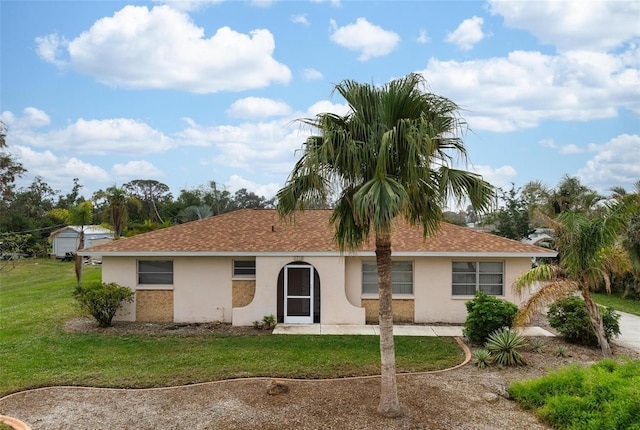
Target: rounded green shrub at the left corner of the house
point(102, 300)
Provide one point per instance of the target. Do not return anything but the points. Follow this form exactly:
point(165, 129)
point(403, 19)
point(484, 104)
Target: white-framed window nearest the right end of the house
point(471, 276)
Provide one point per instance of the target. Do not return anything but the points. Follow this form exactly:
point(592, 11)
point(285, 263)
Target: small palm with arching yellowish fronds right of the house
point(588, 255)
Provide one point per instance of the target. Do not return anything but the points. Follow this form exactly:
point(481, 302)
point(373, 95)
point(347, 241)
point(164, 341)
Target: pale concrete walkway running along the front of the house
point(398, 330)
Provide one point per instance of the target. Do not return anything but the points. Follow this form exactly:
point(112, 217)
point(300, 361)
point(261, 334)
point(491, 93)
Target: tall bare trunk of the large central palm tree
point(389, 405)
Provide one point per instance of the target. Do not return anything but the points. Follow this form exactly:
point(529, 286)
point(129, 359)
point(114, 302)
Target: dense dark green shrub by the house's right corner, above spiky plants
point(486, 314)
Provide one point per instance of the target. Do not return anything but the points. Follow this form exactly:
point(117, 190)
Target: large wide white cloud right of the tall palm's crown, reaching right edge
point(519, 91)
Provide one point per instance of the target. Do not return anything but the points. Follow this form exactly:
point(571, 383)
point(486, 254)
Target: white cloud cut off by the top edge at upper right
point(573, 24)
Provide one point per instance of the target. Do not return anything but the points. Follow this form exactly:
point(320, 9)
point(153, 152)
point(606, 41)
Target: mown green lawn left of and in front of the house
point(35, 301)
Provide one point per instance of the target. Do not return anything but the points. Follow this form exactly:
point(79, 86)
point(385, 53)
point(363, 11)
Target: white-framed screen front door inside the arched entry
point(298, 294)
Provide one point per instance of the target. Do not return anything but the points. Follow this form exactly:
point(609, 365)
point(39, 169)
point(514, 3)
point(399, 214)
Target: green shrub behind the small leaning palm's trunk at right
point(569, 316)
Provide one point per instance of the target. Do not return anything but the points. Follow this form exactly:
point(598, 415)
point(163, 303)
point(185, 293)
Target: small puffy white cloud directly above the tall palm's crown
point(369, 39)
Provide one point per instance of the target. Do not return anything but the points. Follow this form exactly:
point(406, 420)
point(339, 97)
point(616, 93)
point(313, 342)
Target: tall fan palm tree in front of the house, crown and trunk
point(390, 156)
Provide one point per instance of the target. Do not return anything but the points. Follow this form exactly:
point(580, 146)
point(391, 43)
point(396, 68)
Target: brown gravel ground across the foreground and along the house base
point(463, 398)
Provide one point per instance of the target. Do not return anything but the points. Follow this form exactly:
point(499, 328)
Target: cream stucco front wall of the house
point(203, 289)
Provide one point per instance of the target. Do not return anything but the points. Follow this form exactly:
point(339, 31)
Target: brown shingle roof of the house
point(253, 231)
